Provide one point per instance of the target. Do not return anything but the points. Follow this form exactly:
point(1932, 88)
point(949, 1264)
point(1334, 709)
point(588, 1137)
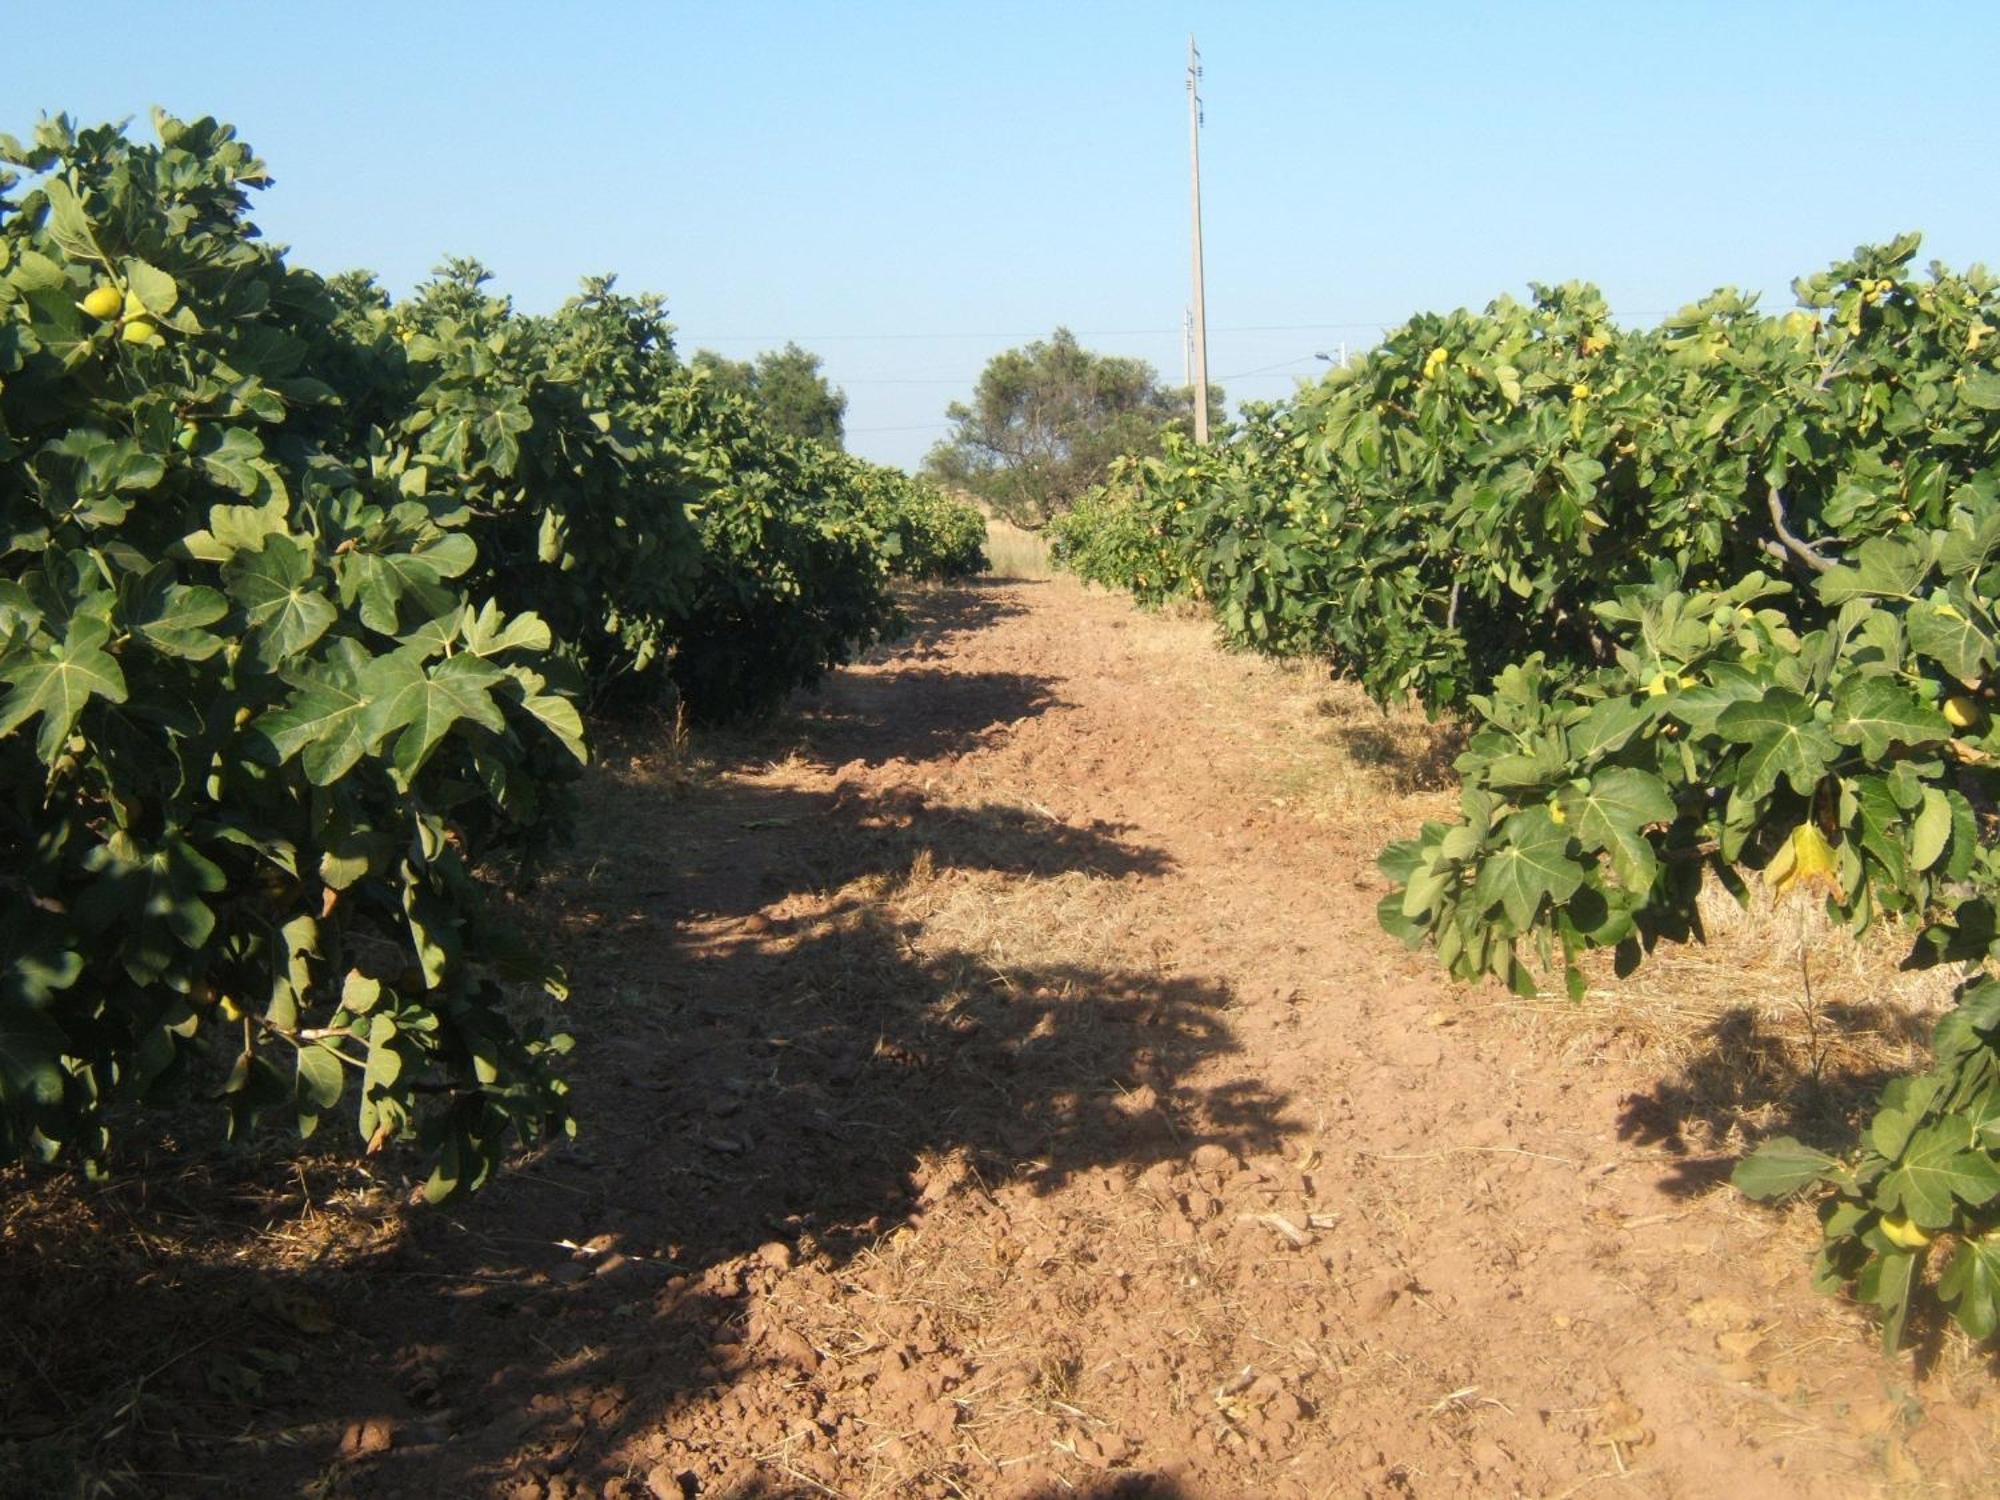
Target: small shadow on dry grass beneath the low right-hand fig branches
point(1753, 1077)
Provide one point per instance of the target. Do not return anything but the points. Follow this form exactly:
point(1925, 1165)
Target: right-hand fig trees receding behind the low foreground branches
point(1469, 491)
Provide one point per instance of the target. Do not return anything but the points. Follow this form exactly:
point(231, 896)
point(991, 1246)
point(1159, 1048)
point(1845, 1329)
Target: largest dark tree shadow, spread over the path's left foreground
point(763, 1097)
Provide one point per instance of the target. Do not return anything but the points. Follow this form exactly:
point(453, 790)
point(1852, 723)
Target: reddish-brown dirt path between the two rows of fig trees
point(997, 1085)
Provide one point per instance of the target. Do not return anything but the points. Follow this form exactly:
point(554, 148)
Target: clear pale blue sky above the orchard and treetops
point(909, 189)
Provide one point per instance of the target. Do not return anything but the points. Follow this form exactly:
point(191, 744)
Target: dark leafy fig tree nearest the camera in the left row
point(255, 729)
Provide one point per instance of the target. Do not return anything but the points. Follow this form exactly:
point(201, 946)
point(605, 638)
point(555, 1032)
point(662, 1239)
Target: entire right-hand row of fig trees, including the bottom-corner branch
point(1719, 599)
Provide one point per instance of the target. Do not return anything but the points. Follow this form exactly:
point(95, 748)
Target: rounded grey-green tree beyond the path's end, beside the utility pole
point(1047, 421)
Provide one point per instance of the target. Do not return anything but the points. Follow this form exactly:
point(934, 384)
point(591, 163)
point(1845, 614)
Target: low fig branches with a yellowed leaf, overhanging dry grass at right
point(1721, 737)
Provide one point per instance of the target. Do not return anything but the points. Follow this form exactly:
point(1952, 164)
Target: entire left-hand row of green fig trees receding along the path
point(307, 599)
